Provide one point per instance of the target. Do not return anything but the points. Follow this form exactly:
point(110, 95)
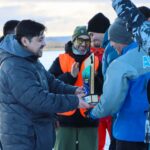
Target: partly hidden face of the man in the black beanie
point(96, 39)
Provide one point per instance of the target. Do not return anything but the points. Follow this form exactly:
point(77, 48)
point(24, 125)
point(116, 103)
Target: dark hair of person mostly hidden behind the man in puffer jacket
point(9, 27)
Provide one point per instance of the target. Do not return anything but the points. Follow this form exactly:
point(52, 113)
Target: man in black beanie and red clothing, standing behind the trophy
point(97, 26)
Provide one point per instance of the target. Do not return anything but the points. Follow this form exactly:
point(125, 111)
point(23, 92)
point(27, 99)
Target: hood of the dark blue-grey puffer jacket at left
point(10, 45)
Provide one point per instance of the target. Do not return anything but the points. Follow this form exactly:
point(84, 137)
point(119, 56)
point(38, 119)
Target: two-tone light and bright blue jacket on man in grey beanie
point(124, 94)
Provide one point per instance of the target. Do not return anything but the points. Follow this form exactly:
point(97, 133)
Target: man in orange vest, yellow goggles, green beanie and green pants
point(76, 132)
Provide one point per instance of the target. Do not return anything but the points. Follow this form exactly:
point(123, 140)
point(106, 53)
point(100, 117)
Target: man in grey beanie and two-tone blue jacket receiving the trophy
point(126, 81)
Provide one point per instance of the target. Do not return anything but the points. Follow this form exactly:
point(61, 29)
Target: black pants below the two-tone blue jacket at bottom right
point(124, 145)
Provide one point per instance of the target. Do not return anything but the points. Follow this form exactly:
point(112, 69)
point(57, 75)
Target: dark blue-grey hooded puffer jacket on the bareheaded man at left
point(29, 99)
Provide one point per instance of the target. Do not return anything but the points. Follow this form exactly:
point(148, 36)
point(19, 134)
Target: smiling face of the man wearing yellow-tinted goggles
point(82, 43)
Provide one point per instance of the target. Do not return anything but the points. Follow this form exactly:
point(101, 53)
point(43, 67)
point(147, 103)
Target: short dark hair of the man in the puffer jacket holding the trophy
point(29, 29)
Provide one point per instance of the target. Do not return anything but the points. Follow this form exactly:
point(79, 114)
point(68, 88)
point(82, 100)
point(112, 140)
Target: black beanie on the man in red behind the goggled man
point(99, 23)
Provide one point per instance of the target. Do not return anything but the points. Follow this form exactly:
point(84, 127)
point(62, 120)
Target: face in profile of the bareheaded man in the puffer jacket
point(36, 45)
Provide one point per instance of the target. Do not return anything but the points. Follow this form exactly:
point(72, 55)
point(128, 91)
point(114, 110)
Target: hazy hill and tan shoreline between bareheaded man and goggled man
point(56, 43)
